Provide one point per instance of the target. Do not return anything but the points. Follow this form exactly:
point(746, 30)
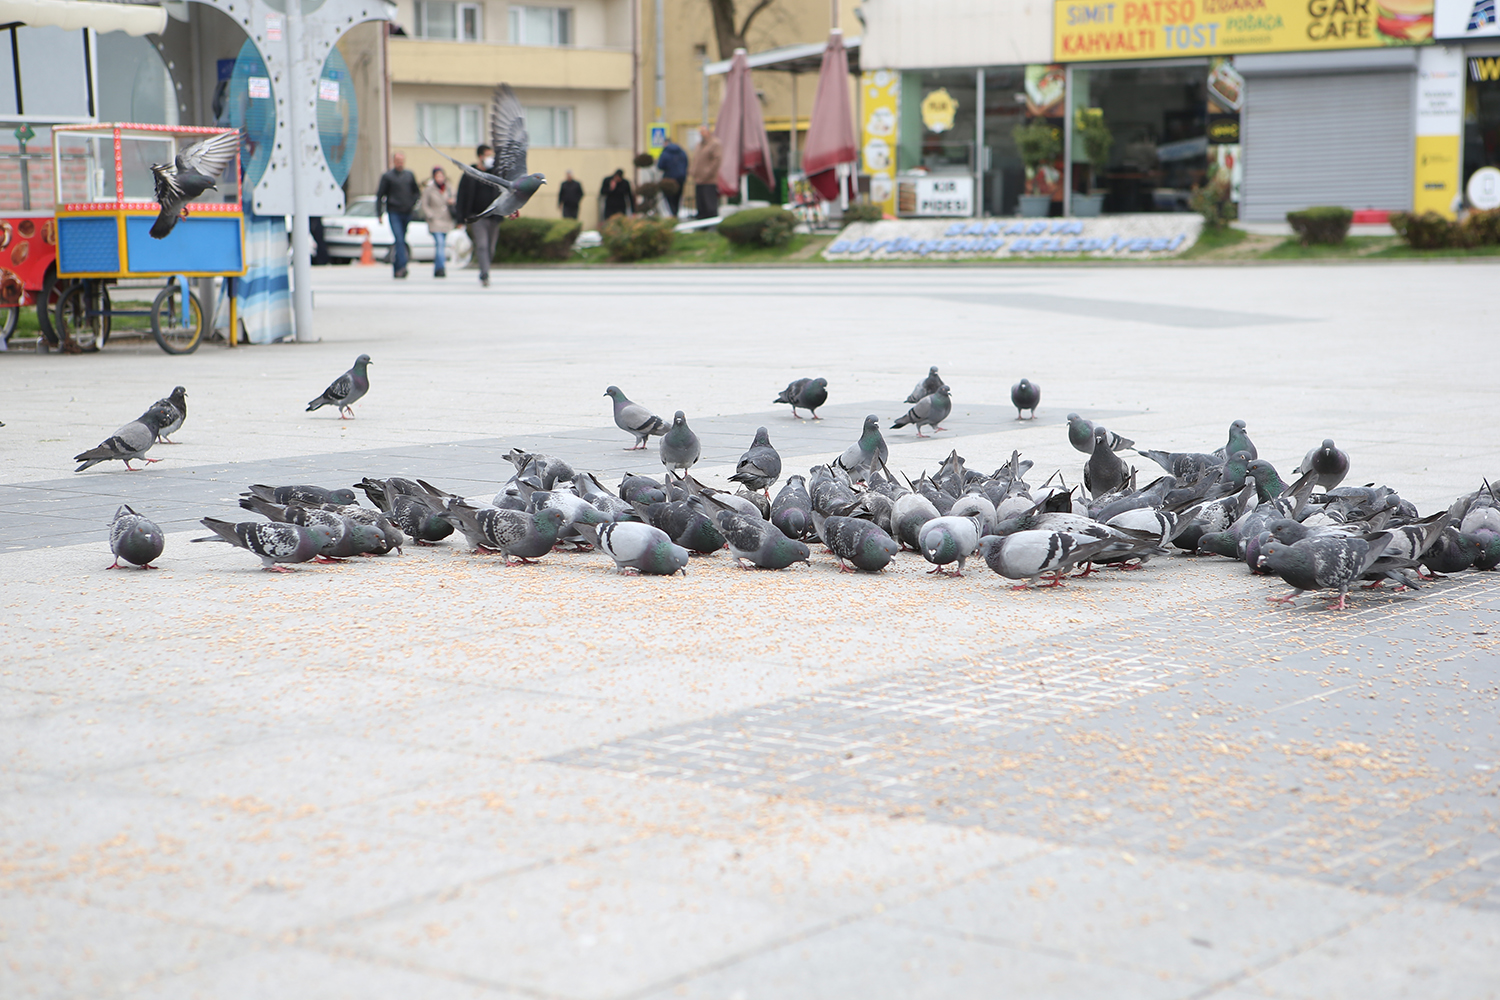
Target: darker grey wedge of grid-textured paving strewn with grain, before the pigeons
point(1247, 737)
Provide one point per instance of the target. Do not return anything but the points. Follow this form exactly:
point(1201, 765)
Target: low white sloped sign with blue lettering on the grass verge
point(1136, 238)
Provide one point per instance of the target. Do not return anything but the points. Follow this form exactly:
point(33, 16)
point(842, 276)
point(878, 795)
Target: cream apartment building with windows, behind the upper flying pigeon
point(569, 62)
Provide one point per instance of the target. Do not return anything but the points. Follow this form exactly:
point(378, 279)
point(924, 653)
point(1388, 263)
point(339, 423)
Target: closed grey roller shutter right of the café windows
point(1330, 140)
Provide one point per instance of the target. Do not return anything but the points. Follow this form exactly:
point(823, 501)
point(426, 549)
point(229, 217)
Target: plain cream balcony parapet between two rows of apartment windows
point(523, 67)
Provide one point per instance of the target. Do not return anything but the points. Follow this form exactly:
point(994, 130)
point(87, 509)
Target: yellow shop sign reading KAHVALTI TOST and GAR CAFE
point(1166, 29)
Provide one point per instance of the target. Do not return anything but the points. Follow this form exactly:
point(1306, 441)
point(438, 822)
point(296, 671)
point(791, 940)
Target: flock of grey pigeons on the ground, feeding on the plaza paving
point(1313, 533)
